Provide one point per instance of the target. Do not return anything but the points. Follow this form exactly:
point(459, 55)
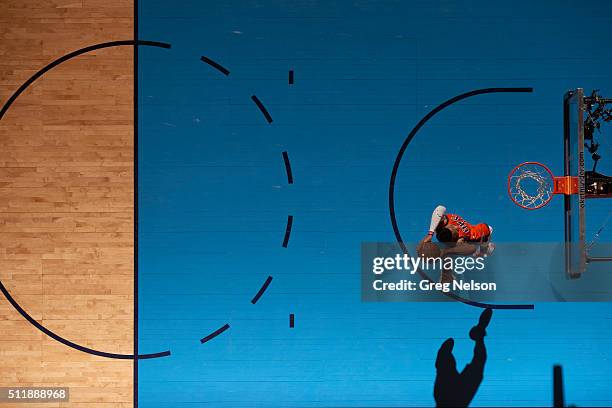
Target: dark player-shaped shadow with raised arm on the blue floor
point(457, 389)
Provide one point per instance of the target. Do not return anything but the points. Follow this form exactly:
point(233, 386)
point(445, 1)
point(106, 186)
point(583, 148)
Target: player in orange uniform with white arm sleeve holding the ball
point(468, 239)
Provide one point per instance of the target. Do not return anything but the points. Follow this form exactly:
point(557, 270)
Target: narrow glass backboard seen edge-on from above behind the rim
point(574, 207)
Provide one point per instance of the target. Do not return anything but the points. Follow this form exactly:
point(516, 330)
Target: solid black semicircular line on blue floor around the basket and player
point(398, 160)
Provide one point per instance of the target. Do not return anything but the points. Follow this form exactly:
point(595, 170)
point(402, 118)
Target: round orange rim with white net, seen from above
point(531, 185)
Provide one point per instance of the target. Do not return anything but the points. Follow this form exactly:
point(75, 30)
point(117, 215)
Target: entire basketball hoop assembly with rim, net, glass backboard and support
point(531, 185)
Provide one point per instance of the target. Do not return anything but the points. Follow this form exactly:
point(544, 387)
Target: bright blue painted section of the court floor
point(214, 196)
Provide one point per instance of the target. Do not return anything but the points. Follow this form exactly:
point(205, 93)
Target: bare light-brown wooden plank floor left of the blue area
point(66, 198)
